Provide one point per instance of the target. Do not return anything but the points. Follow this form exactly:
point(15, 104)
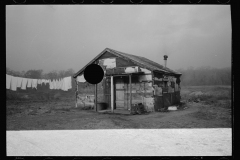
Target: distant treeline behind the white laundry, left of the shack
point(38, 74)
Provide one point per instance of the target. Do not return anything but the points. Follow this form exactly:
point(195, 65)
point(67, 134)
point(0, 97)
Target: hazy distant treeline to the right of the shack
point(205, 76)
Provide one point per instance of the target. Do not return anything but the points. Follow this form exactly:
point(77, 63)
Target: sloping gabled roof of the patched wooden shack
point(141, 61)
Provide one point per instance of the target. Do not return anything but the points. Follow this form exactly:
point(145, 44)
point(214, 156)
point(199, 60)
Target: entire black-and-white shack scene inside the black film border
point(118, 80)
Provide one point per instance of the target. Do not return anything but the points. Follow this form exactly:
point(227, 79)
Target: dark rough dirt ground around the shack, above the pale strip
point(202, 107)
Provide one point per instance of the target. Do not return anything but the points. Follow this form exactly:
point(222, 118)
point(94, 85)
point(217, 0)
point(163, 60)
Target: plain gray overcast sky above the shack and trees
point(59, 37)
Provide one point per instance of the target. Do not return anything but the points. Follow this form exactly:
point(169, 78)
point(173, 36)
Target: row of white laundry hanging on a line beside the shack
point(13, 83)
